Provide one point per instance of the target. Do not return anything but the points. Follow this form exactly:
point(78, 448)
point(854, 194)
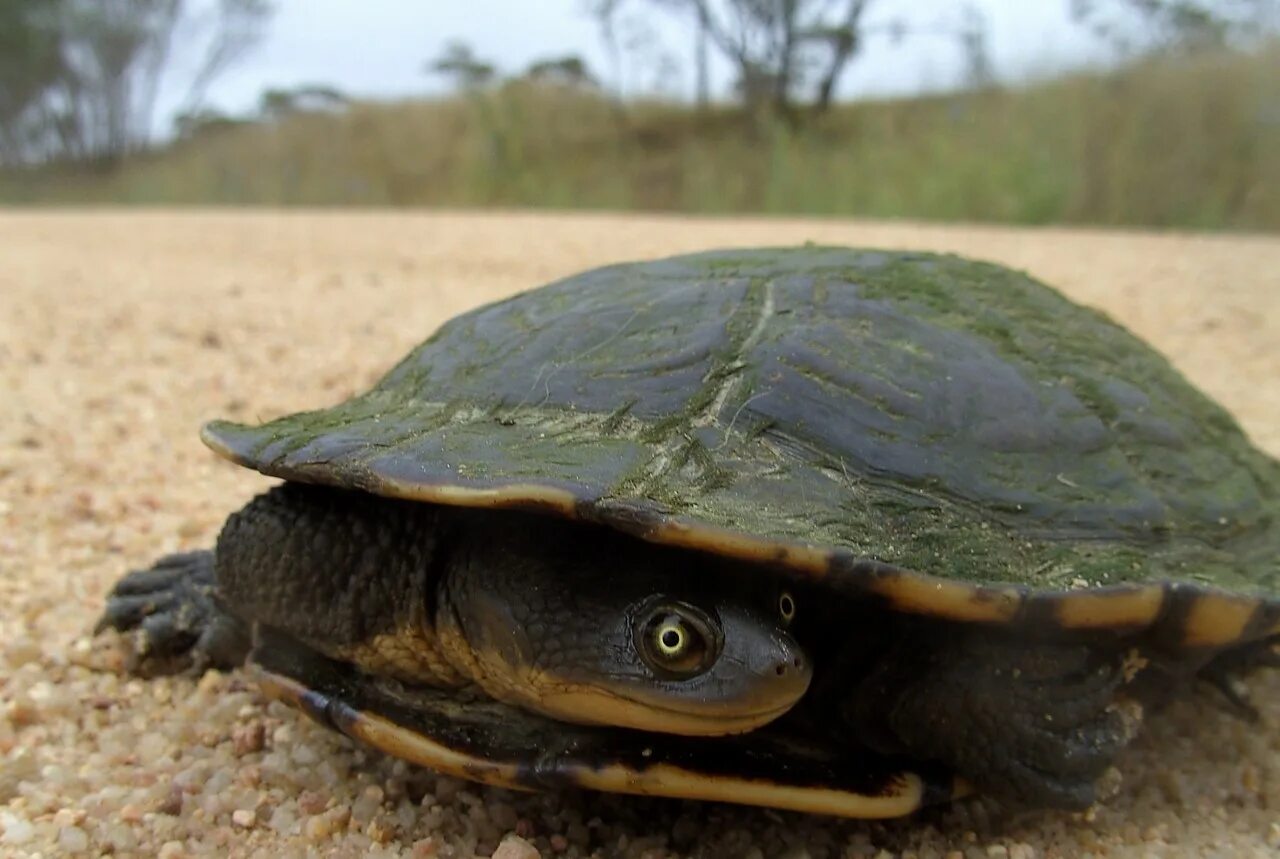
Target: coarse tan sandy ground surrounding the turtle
point(120, 333)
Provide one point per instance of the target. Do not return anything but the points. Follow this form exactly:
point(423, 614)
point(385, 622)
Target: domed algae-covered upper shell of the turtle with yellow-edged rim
point(952, 436)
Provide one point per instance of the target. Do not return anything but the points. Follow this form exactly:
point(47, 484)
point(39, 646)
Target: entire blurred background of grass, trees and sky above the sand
point(1155, 113)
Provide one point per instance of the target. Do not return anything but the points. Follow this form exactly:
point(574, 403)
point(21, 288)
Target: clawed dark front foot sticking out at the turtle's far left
point(176, 615)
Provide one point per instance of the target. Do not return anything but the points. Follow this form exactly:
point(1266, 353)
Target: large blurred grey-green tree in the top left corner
point(81, 77)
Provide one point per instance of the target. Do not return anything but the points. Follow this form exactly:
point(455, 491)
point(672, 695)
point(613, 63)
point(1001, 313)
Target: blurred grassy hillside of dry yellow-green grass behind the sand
point(1168, 144)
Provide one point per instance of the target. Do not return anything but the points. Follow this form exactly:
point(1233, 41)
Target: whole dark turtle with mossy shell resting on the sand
point(844, 532)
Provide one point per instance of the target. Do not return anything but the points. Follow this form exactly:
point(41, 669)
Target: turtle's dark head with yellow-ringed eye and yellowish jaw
point(589, 627)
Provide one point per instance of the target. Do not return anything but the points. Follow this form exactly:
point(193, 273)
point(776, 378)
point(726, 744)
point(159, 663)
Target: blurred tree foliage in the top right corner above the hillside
point(1148, 26)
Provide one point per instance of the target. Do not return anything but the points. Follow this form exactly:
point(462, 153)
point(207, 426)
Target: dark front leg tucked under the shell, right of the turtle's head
point(1036, 725)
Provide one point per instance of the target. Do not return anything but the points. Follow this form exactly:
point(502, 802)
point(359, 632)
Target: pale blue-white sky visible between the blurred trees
point(380, 48)
